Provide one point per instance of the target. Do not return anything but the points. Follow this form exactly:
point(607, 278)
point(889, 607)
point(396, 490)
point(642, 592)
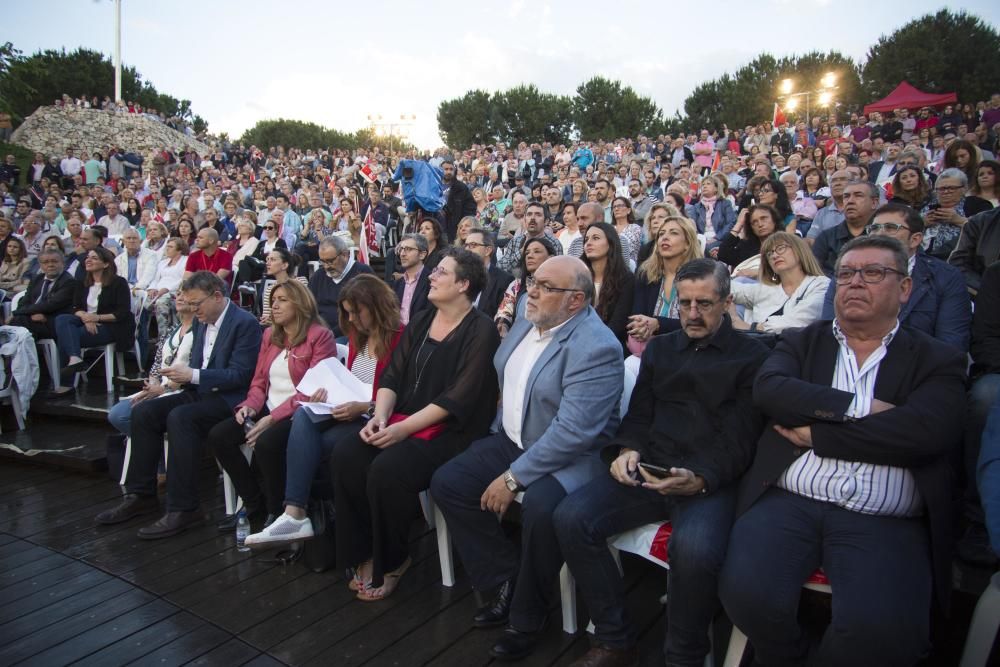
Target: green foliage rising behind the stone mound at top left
point(28, 83)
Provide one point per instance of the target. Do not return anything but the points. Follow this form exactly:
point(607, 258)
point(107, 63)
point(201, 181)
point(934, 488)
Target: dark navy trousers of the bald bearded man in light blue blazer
point(488, 556)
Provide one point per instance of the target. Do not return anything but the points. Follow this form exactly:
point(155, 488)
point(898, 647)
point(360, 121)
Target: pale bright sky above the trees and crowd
point(336, 63)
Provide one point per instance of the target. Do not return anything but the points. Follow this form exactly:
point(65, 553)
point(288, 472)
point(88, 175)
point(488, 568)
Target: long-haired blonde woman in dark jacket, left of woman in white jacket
point(654, 304)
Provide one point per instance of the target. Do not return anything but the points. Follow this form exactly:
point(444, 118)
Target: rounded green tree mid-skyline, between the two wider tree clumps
point(605, 109)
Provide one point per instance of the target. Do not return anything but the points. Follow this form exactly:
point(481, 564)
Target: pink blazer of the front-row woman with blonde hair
point(318, 345)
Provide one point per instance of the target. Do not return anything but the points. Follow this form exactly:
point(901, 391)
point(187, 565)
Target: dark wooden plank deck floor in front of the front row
point(72, 592)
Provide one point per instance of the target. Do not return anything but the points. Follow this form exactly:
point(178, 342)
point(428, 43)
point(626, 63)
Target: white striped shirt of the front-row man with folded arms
point(859, 487)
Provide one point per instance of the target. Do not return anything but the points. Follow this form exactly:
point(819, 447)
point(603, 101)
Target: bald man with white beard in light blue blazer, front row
point(552, 429)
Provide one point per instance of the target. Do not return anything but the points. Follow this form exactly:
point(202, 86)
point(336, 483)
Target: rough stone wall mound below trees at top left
point(51, 130)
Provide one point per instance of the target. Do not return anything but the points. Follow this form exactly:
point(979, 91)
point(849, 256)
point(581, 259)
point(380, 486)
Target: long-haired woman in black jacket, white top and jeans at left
point(102, 314)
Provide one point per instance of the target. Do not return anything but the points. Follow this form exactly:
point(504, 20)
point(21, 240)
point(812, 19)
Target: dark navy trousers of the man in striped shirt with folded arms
point(879, 570)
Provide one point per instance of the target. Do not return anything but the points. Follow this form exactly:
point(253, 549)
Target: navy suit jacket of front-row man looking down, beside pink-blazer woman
point(234, 356)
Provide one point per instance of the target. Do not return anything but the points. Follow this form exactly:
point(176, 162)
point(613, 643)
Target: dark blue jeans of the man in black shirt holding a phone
point(588, 517)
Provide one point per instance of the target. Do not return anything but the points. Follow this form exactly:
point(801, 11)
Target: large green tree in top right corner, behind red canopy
point(939, 53)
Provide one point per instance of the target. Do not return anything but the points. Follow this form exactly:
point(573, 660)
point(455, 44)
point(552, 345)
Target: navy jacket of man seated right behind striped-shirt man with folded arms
point(938, 304)
